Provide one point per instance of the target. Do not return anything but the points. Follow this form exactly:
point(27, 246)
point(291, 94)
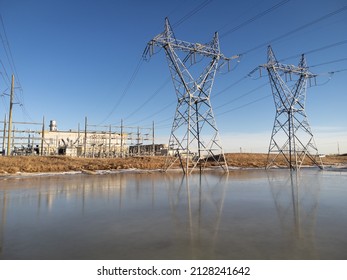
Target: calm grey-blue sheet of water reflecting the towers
point(249, 214)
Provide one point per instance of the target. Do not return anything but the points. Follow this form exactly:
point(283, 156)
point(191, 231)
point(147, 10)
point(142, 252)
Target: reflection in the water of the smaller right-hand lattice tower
point(296, 201)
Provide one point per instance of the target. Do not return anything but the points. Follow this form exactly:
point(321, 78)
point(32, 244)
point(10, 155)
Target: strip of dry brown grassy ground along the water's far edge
point(34, 164)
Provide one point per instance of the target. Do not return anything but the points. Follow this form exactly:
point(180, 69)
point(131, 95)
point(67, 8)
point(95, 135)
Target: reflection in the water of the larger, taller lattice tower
point(196, 208)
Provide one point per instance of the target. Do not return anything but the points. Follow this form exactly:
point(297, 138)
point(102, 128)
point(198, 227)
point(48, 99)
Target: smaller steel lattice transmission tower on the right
point(291, 137)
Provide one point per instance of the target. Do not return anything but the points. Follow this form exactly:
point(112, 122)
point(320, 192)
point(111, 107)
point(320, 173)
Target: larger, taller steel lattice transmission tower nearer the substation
point(194, 138)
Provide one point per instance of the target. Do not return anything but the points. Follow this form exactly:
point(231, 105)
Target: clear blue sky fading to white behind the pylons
point(83, 58)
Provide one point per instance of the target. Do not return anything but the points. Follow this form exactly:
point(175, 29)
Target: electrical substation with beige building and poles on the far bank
point(91, 141)
